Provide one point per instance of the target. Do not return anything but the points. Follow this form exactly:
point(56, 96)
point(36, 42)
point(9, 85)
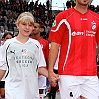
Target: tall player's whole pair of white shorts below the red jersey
point(72, 87)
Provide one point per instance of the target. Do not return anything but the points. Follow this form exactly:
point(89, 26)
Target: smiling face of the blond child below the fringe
point(25, 28)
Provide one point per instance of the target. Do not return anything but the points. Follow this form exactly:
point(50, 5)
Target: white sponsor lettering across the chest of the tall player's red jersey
point(84, 33)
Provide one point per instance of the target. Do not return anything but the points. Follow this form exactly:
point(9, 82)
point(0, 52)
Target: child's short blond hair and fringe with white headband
point(25, 17)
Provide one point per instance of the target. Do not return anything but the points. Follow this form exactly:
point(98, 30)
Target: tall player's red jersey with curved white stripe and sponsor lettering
point(77, 34)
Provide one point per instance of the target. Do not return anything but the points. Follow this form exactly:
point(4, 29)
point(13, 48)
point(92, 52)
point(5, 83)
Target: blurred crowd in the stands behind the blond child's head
point(9, 12)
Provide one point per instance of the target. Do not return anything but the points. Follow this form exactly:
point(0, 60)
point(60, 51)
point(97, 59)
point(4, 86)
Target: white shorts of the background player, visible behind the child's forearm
point(41, 82)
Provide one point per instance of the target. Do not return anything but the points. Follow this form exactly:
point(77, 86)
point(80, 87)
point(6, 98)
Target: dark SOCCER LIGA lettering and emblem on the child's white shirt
point(24, 58)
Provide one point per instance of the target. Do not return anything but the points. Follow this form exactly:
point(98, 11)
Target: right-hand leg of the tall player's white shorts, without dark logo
point(90, 87)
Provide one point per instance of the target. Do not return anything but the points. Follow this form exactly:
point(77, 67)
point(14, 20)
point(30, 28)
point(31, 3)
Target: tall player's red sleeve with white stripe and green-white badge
point(58, 28)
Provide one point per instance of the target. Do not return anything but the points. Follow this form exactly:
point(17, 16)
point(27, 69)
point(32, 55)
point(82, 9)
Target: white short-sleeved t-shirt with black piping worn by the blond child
point(23, 61)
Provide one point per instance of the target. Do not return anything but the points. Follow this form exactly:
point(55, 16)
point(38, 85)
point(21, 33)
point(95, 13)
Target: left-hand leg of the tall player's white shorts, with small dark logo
point(69, 87)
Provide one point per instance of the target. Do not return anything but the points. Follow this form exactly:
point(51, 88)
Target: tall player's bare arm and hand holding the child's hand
point(52, 59)
